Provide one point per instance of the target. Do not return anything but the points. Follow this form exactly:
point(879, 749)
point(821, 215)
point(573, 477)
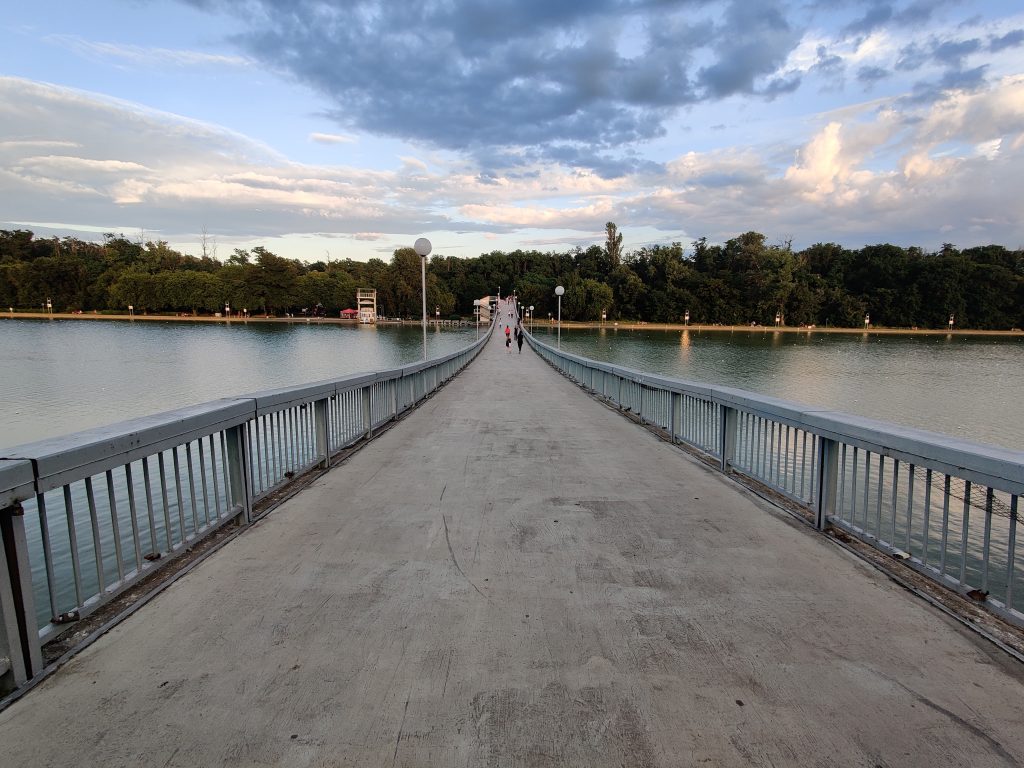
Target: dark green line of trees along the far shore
point(744, 281)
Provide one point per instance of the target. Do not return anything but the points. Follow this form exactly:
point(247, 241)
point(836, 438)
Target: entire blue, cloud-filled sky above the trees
point(349, 129)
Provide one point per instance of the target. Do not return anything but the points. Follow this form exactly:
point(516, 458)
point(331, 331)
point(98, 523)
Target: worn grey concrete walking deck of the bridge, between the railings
point(517, 576)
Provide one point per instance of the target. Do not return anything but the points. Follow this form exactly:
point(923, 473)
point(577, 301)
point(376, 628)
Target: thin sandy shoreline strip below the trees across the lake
point(540, 325)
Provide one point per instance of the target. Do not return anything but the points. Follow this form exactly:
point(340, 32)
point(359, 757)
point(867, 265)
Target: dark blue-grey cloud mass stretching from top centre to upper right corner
point(516, 83)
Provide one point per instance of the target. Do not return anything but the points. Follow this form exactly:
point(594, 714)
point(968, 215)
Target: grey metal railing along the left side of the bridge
point(87, 517)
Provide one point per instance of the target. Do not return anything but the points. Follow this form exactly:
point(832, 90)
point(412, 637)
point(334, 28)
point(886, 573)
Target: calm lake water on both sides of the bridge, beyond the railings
point(64, 376)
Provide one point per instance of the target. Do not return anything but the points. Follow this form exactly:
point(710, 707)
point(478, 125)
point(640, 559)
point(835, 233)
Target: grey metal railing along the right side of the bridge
point(948, 508)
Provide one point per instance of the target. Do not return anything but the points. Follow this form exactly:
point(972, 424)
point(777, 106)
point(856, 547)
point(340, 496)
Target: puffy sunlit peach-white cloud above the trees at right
point(956, 168)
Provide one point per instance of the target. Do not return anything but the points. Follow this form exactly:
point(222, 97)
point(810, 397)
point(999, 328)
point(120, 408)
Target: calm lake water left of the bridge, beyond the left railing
point(64, 376)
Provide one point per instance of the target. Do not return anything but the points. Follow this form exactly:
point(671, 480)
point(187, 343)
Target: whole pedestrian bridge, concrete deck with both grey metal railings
point(510, 574)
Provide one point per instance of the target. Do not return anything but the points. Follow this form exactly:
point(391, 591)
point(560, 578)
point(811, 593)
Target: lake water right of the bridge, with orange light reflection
point(967, 387)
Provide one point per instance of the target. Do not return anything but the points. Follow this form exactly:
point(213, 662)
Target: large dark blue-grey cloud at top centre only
point(556, 80)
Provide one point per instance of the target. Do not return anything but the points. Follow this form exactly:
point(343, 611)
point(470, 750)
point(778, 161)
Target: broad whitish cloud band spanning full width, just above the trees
point(867, 175)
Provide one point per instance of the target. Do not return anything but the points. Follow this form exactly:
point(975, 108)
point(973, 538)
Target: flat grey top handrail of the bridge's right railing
point(988, 463)
